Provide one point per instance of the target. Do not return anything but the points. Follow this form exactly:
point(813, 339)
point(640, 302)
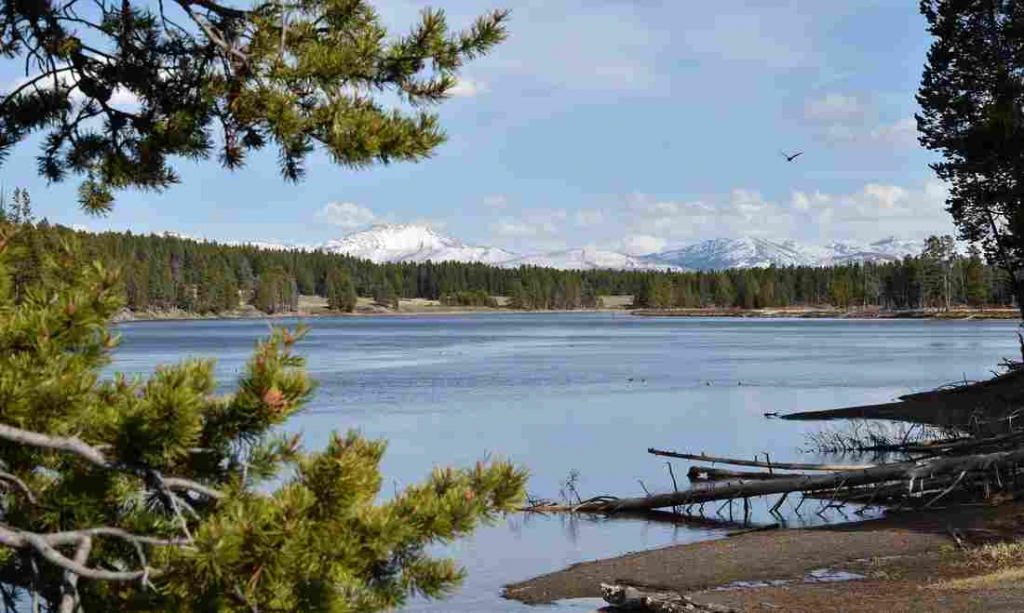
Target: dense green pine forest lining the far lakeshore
point(162, 273)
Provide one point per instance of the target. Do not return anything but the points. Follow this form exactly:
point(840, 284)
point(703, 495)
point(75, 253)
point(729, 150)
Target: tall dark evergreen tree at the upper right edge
point(971, 98)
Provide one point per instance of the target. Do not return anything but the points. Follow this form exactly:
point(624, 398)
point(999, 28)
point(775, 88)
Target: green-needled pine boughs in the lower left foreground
point(291, 531)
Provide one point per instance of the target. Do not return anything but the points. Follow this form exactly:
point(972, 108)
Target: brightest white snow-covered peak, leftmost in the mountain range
point(411, 243)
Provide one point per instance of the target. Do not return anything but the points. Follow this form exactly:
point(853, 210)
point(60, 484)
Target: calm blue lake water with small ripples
point(553, 393)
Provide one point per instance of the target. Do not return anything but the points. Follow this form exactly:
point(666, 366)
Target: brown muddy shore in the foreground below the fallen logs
point(901, 562)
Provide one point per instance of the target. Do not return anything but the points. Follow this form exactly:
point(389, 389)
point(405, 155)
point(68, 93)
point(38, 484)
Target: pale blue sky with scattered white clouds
point(627, 125)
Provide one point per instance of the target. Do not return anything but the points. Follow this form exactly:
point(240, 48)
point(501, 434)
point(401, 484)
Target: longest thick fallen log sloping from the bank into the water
point(905, 471)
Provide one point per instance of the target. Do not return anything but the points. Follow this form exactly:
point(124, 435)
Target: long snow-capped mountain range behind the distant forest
point(412, 243)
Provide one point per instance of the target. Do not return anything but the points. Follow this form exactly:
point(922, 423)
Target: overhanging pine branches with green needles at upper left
point(163, 79)
